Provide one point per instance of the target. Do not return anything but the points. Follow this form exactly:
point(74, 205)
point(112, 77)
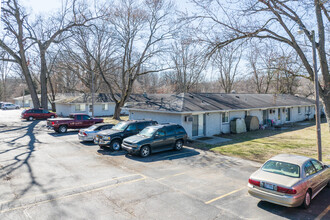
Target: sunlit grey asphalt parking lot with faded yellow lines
point(46, 175)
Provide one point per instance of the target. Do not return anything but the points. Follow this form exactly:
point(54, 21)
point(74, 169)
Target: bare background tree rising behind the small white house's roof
point(89, 54)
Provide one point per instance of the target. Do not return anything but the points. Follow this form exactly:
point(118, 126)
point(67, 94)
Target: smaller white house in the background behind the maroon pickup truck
point(104, 105)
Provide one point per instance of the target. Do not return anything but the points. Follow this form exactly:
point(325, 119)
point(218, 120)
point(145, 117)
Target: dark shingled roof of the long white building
point(204, 102)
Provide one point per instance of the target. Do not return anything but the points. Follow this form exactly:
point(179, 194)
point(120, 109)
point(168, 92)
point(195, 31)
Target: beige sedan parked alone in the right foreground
point(289, 180)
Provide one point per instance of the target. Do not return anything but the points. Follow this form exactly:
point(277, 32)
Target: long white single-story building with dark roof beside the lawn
point(207, 114)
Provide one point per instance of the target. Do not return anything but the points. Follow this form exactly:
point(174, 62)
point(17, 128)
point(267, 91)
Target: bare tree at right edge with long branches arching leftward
point(276, 20)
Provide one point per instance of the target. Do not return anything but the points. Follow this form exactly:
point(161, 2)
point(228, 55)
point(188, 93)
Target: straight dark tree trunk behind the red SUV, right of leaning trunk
point(43, 79)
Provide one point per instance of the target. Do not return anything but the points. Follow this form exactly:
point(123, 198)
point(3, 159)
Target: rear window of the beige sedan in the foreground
point(282, 168)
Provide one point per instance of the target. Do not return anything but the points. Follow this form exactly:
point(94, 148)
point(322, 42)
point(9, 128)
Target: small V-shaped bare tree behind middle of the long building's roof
point(226, 61)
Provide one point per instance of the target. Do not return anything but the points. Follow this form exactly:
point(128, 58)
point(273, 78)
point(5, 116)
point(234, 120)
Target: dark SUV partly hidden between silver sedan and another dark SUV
point(123, 129)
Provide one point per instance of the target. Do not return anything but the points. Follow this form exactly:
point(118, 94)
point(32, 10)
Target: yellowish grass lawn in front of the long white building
point(262, 144)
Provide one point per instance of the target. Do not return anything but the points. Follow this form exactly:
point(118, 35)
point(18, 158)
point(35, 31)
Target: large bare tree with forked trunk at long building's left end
point(141, 29)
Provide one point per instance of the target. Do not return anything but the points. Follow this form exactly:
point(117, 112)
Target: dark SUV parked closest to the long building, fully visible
point(156, 138)
